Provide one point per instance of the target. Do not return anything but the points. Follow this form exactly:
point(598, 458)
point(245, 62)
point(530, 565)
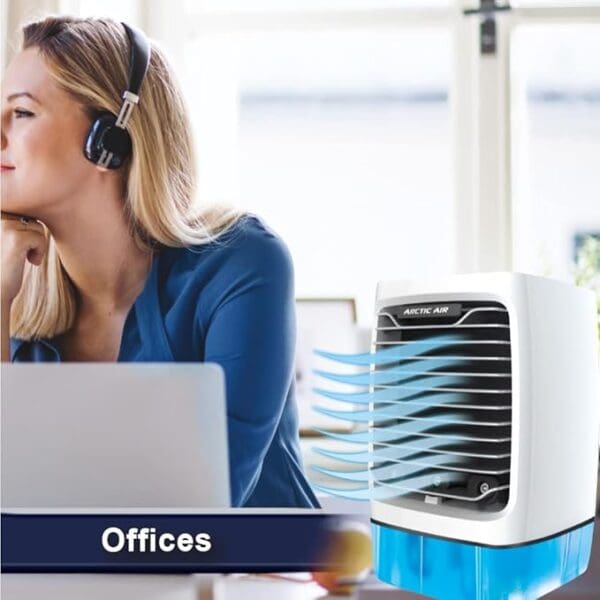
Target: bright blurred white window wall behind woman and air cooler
point(386, 139)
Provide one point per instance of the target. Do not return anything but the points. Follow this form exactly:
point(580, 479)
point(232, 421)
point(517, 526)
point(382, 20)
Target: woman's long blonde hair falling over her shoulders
point(89, 59)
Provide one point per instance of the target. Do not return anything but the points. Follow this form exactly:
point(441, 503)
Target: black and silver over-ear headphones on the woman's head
point(108, 143)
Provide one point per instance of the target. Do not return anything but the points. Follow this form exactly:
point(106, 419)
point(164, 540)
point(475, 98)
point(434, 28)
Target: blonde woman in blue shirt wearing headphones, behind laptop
point(120, 264)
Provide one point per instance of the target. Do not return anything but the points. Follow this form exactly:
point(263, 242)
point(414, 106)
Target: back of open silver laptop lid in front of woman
point(106, 435)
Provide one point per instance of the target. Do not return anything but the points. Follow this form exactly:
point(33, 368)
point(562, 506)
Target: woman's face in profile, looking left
point(43, 132)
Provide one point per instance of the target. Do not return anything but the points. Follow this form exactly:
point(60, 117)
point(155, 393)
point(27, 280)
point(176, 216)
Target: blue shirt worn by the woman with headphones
point(229, 302)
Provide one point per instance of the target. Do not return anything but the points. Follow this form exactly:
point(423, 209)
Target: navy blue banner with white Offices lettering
point(159, 543)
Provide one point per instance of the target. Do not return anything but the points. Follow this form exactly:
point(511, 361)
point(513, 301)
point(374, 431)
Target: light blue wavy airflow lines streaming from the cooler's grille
point(411, 378)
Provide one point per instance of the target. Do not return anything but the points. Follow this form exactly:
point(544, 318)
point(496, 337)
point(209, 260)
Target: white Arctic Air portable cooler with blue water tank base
point(508, 510)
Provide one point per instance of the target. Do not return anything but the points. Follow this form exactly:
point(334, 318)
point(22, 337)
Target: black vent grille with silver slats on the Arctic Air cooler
point(452, 444)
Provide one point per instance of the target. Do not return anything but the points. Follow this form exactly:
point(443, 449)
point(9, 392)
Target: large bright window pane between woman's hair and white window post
point(343, 145)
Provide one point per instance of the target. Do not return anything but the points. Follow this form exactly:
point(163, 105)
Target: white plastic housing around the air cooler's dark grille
point(555, 409)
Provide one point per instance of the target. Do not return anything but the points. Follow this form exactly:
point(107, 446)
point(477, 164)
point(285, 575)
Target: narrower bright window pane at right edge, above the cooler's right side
point(557, 145)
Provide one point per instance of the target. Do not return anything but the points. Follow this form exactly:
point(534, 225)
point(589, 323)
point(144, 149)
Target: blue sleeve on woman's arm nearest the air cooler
point(251, 333)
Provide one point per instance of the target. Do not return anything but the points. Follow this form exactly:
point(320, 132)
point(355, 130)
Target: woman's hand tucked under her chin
point(23, 239)
